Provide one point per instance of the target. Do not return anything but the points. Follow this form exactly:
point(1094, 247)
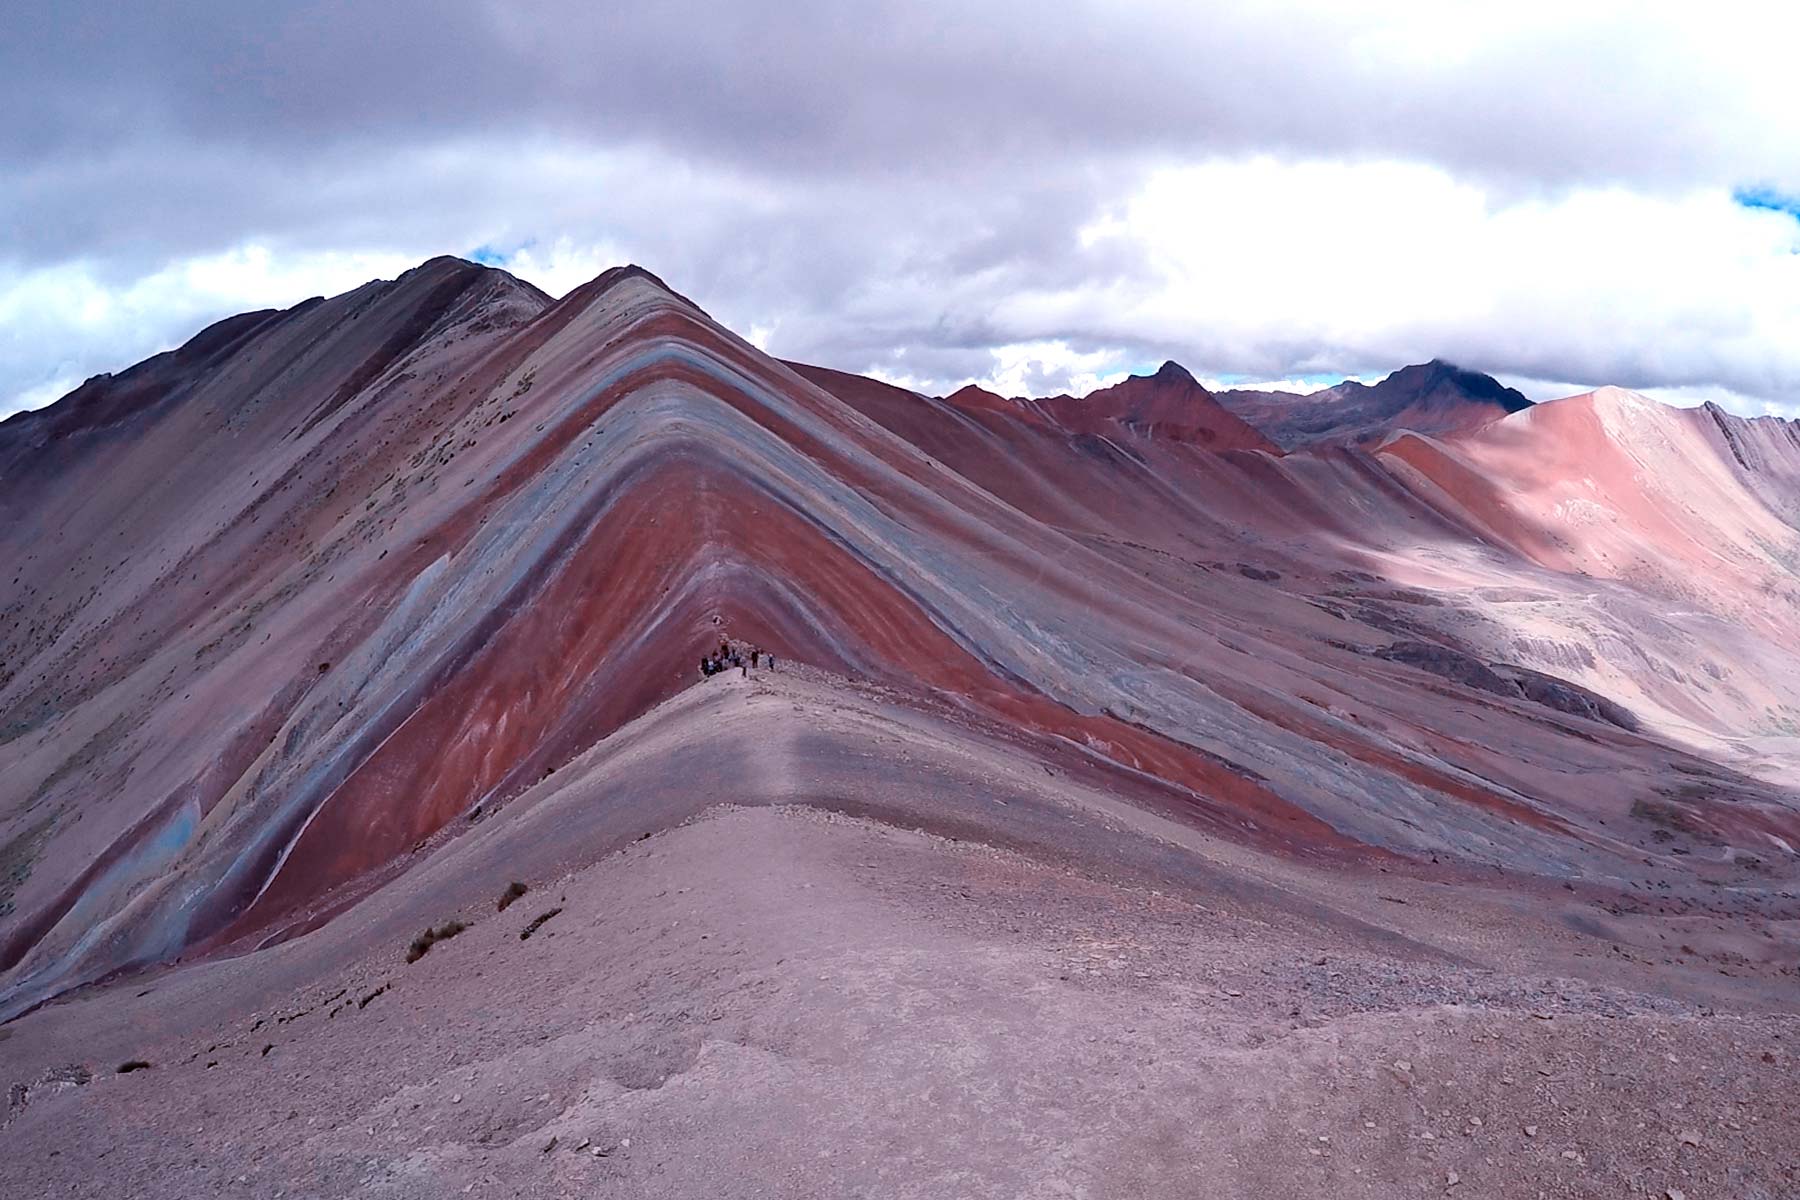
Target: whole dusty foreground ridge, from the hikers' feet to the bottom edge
point(771, 999)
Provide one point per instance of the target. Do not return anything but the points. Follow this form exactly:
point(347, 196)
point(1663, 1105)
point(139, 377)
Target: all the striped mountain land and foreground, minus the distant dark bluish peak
point(1117, 773)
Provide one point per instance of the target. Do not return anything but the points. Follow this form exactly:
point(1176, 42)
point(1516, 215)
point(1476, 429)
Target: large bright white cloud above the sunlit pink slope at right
point(1266, 267)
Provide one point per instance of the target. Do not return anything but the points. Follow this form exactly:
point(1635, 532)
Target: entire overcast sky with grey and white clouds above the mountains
point(1029, 195)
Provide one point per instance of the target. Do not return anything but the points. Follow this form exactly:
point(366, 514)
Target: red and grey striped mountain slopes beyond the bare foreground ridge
point(291, 605)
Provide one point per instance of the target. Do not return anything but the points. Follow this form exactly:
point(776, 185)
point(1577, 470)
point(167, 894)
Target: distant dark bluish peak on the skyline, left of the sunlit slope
point(1430, 399)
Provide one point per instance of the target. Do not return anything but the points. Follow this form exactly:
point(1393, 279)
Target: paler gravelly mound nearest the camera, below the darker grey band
point(786, 1003)
